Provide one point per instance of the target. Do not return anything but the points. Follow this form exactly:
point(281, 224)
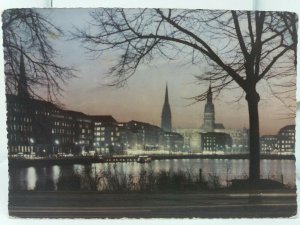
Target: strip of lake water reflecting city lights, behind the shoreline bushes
point(27, 178)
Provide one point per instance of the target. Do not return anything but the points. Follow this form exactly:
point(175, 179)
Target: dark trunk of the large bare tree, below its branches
point(253, 98)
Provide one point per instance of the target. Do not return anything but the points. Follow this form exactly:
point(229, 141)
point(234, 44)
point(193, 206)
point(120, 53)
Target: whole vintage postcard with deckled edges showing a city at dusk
point(150, 113)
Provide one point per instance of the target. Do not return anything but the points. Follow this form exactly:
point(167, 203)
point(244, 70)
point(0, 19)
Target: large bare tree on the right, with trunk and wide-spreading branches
point(241, 49)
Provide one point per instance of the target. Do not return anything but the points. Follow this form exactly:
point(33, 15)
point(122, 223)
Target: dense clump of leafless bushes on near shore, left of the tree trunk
point(113, 181)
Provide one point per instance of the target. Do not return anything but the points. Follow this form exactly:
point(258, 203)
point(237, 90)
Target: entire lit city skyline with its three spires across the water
point(37, 127)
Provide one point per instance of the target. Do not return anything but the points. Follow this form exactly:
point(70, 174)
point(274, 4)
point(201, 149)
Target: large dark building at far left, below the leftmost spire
point(28, 124)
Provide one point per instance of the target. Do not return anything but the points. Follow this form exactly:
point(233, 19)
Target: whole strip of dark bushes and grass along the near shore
point(112, 180)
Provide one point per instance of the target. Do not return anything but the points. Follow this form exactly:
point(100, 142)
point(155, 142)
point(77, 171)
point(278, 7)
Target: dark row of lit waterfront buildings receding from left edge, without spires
point(41, 128)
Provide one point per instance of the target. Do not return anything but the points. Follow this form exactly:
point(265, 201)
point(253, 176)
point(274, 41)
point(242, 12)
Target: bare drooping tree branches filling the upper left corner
point(27, 32)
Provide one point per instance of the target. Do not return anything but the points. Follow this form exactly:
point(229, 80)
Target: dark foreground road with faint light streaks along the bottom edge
point(222, 204)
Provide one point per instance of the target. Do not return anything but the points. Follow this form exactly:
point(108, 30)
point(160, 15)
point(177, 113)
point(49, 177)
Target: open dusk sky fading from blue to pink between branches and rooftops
point(142, 98)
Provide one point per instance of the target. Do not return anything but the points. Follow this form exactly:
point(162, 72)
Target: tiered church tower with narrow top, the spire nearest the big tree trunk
point(209, 113)
